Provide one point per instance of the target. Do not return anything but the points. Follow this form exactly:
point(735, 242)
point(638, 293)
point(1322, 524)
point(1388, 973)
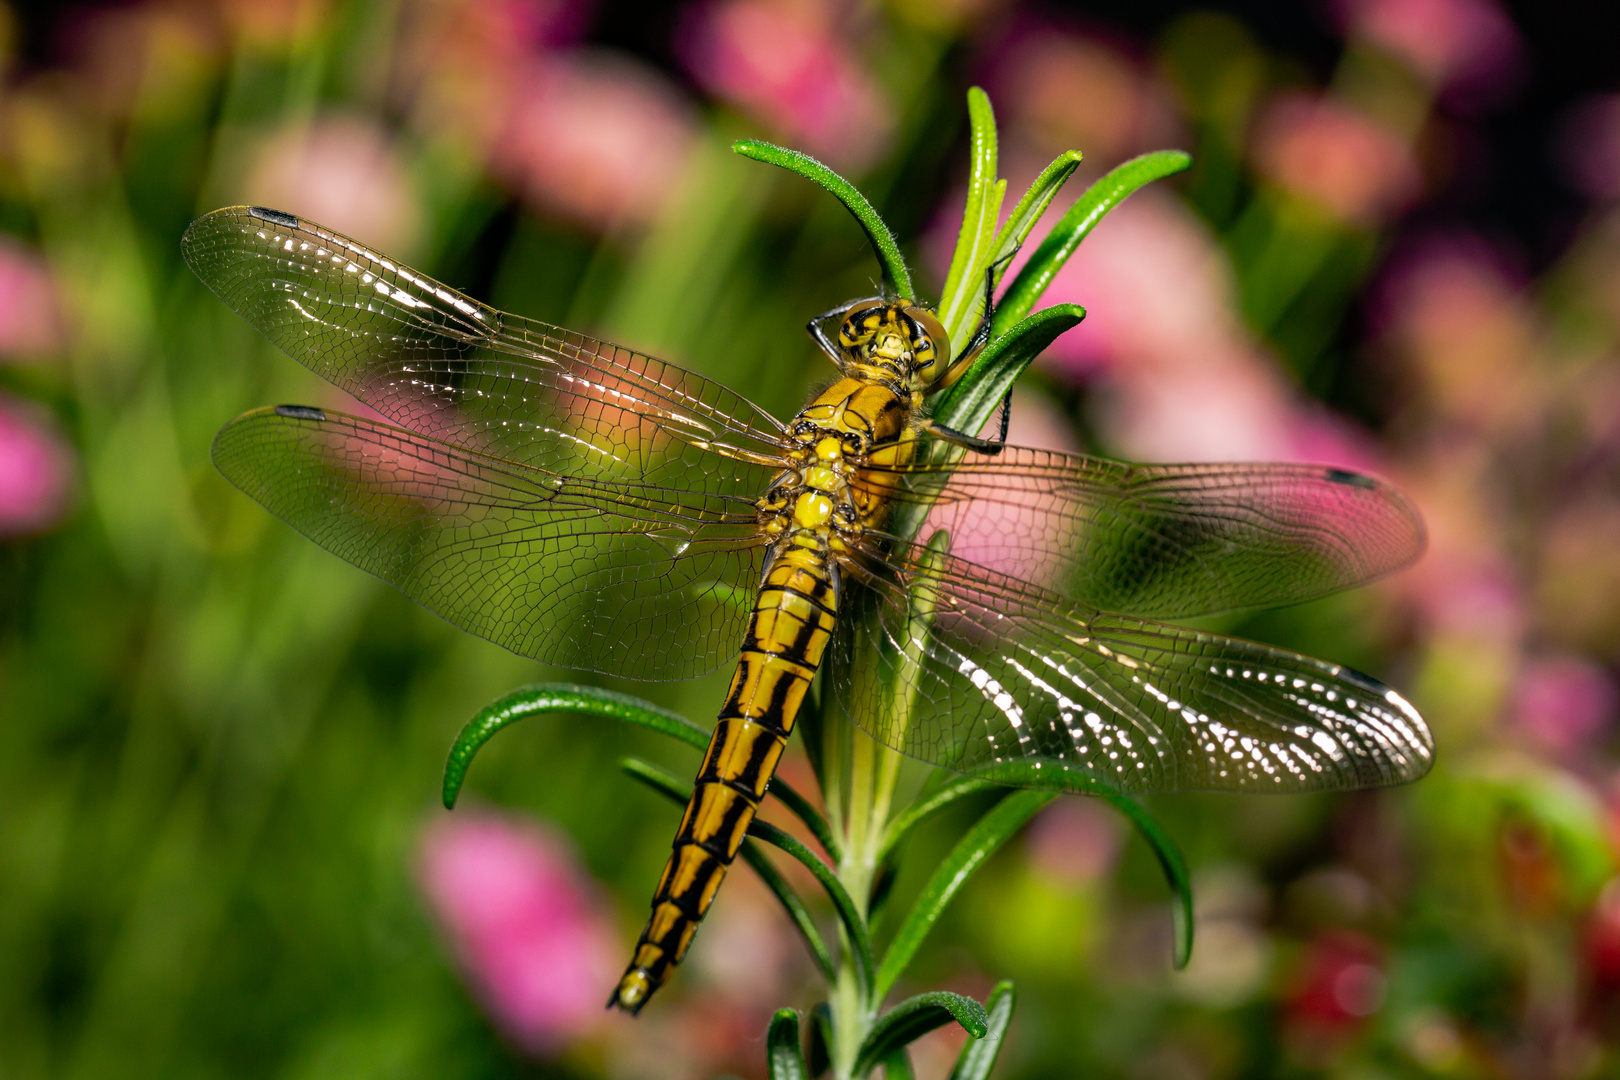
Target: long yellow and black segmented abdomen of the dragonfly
point(788, 634)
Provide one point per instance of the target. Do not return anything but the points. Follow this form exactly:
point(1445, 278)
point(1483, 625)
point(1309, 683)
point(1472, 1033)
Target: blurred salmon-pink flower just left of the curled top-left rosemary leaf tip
point(594, 137)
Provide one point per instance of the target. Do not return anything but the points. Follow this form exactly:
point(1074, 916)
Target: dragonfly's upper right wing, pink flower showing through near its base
point(1162, 542)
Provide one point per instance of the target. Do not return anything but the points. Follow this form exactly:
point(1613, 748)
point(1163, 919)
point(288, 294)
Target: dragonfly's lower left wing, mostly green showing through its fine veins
point(633, 580)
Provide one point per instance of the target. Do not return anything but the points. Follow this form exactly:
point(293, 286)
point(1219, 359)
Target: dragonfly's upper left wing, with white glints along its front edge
point(454, 370)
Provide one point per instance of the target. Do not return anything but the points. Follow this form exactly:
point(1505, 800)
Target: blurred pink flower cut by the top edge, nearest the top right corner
point(1467, 45)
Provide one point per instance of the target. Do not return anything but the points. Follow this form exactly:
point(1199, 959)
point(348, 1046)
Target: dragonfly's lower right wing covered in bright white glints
point(987, 674)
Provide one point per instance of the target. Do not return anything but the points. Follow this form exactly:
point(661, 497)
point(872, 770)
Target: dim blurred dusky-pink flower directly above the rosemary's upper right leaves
point(1064, 91)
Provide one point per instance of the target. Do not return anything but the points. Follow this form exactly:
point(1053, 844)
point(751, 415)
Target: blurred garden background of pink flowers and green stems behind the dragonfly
point(221, 848)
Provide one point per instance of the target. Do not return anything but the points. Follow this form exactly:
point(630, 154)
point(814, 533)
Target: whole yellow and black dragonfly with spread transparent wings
point(594, 508)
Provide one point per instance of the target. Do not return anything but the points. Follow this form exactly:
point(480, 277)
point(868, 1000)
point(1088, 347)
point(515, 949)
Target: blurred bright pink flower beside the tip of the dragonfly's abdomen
point(526, 922)
